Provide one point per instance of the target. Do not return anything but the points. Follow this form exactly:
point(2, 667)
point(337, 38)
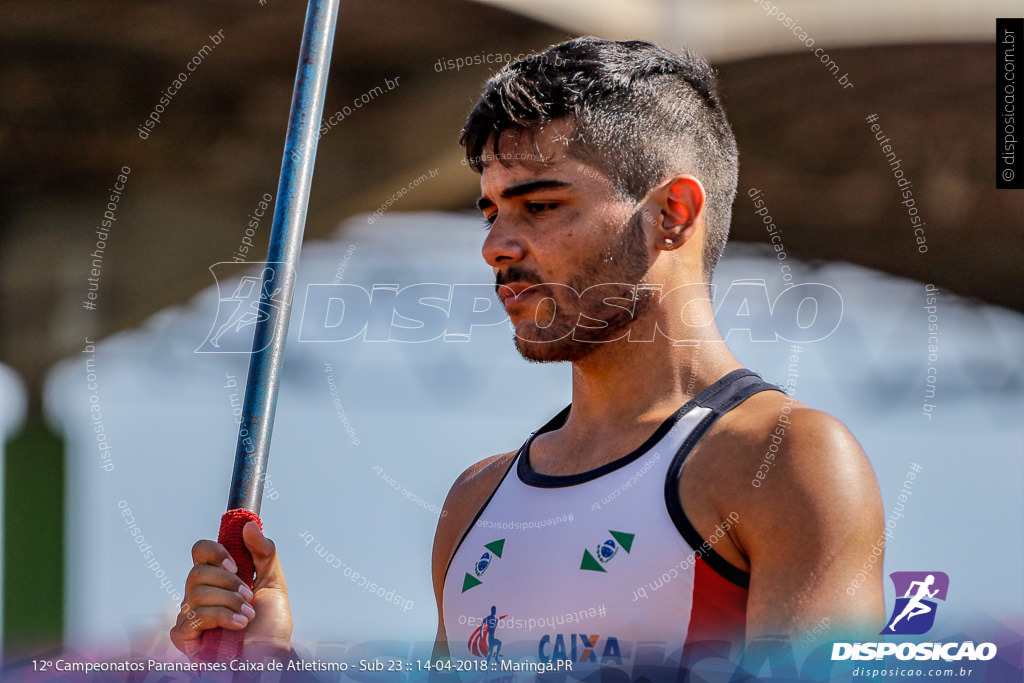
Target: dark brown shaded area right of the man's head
point(805, 143)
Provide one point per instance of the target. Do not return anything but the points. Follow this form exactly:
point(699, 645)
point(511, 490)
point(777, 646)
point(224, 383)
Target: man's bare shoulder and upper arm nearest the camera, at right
point(810, 515)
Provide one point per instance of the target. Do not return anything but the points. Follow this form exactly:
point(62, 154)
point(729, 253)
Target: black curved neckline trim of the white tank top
point(532, 478)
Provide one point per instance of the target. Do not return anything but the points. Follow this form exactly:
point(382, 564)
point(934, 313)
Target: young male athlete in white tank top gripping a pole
point(637, 516)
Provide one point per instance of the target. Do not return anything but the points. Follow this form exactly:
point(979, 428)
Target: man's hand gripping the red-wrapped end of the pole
point(216, 597)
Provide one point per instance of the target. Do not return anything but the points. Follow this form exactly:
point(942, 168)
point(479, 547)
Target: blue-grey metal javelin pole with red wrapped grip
point(252, 450)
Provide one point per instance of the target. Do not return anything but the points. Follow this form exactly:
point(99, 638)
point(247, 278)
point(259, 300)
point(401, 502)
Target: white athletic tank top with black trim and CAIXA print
point(601, 569)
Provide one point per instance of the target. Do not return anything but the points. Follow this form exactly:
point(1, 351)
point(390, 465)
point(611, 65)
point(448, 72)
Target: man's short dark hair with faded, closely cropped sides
point(641, 113)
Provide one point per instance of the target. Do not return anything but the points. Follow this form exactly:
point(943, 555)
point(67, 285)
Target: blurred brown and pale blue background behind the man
point(370, 436)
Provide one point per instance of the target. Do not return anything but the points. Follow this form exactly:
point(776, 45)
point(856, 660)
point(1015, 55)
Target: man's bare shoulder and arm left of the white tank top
point(467, 496)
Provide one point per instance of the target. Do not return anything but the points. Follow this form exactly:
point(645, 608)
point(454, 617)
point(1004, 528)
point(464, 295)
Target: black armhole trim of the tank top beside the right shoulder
point(741, 387)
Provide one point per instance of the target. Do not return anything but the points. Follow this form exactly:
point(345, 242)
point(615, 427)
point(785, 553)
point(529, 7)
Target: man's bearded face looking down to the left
point(558, 230)
